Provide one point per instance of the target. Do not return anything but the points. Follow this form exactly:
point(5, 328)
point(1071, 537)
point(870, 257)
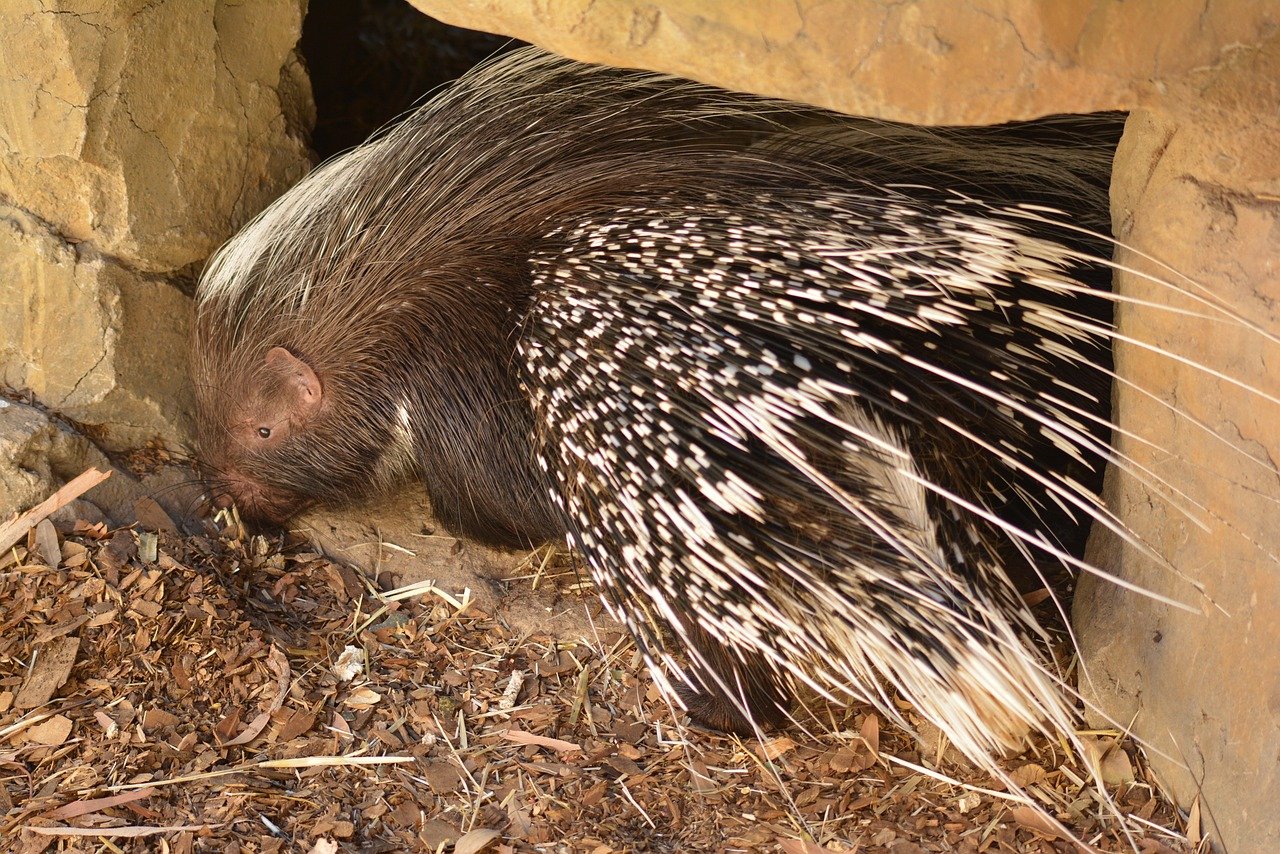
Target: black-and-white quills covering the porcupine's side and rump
point(790, 517)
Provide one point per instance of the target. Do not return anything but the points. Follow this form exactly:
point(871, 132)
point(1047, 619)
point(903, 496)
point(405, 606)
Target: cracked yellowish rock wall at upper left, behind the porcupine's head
point(135, 138)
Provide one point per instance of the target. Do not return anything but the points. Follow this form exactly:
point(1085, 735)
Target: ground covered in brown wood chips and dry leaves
point(209, 695)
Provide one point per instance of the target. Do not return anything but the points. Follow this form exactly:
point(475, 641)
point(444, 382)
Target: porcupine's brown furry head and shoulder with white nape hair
point(332, 377)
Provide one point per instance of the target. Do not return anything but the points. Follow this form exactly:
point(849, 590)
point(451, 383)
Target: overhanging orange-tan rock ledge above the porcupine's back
point(930, 62)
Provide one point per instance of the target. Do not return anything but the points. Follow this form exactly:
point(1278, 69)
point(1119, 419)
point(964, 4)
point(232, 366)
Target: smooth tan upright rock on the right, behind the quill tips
point(1197, 185)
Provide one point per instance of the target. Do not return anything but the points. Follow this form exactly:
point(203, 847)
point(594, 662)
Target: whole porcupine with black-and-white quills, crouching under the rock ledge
point(803, 390)
